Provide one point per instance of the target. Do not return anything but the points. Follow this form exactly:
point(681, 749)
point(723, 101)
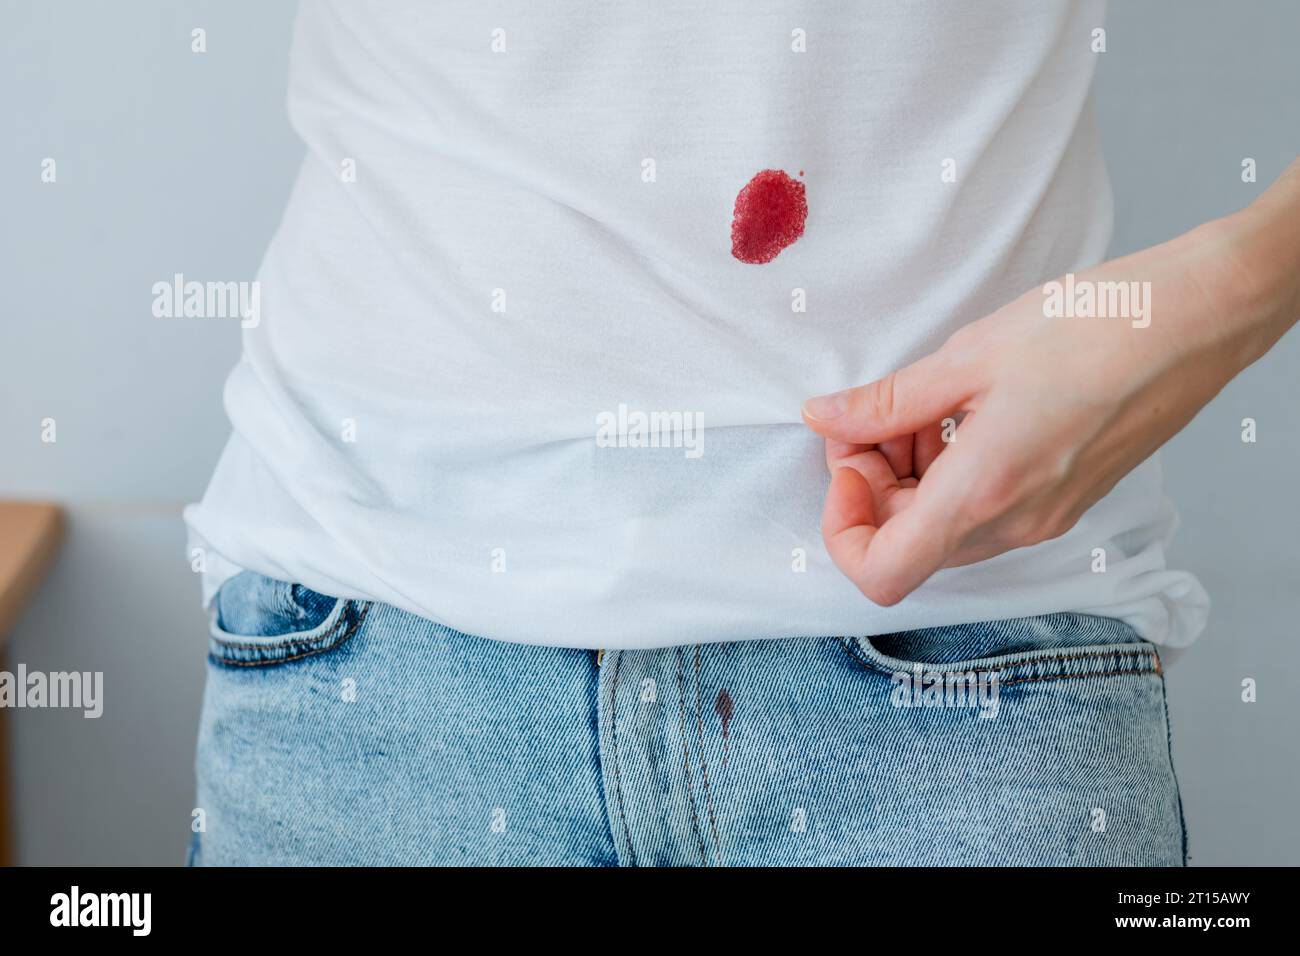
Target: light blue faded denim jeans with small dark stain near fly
point(343, 732)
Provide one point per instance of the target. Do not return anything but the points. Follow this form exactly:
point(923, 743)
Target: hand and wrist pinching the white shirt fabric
point(1052, 412)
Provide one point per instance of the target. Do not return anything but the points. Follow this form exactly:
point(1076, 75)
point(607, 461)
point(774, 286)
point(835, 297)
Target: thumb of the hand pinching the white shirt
point(900, 404)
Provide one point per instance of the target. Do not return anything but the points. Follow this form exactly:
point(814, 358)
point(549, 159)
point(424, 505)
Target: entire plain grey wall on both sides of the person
point(174, 162)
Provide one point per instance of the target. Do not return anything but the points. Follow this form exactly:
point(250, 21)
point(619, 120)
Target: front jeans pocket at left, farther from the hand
point(259, 622)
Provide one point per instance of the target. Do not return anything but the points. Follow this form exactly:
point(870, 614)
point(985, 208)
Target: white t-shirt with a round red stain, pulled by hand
point(509, 270)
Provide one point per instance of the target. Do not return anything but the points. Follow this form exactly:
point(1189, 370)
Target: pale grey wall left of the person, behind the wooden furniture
point(167, 162)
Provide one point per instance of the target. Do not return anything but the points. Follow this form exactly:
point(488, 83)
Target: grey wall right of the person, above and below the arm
point(1186, 92)
